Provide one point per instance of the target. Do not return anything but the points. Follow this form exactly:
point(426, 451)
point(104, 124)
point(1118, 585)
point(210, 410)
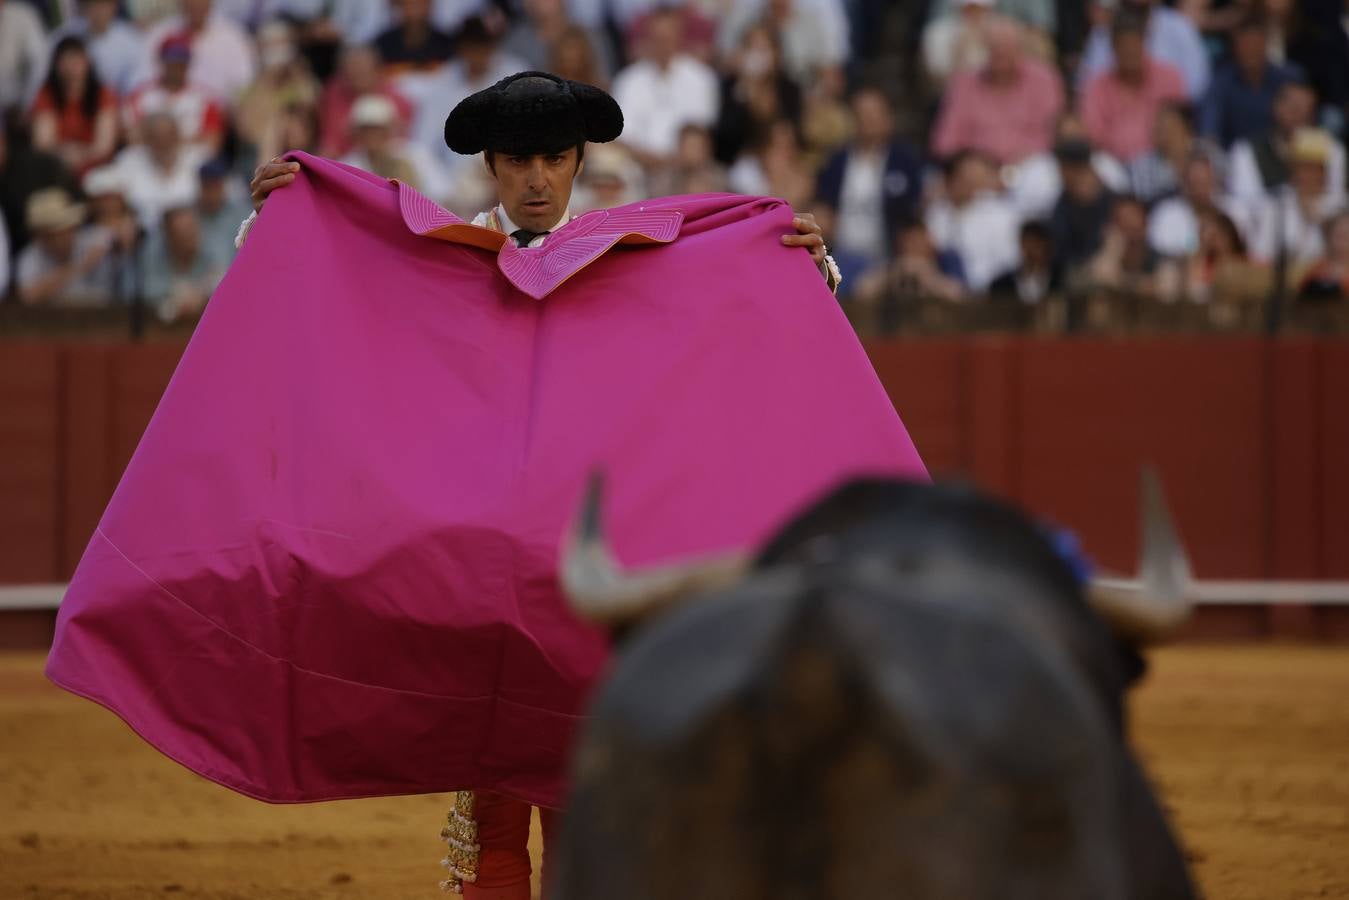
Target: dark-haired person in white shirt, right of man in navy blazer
point(976, 221)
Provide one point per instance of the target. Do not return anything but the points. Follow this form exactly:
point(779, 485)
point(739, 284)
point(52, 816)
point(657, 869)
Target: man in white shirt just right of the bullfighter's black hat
point(663, 92)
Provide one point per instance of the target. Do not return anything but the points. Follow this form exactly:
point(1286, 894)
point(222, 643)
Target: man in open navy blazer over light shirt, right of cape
point(868, 191)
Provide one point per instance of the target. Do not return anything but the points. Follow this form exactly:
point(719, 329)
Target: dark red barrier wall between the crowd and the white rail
point(1251, 438)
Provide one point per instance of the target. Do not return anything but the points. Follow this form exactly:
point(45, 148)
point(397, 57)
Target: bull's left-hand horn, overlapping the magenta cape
point(600, 590)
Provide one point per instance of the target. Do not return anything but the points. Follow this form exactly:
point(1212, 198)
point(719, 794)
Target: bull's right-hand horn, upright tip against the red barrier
point(1154, 605)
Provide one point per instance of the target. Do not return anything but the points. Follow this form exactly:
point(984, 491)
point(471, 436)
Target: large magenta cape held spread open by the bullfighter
point(330, 569)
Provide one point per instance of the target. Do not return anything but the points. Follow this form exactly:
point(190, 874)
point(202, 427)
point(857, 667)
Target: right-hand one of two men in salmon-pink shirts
point(1120, 106)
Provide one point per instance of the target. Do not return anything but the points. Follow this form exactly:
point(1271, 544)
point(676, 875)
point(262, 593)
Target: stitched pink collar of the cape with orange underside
point(538, 272)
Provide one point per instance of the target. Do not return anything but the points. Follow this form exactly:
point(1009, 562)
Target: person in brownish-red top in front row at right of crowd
point(1220, 273)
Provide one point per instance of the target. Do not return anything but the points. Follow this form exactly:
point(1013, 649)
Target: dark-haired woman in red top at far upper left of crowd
point(75, 117)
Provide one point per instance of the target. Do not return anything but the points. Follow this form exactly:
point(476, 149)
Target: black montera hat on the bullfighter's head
point(534, 113)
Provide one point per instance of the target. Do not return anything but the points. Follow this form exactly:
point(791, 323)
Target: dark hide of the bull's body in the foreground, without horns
point(909, 698)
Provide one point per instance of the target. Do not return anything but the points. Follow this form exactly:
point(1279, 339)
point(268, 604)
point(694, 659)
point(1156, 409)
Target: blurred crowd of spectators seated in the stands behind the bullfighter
point(963, 152)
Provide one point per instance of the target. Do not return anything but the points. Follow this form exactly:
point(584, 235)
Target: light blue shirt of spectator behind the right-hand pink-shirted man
point(1170, 38)
